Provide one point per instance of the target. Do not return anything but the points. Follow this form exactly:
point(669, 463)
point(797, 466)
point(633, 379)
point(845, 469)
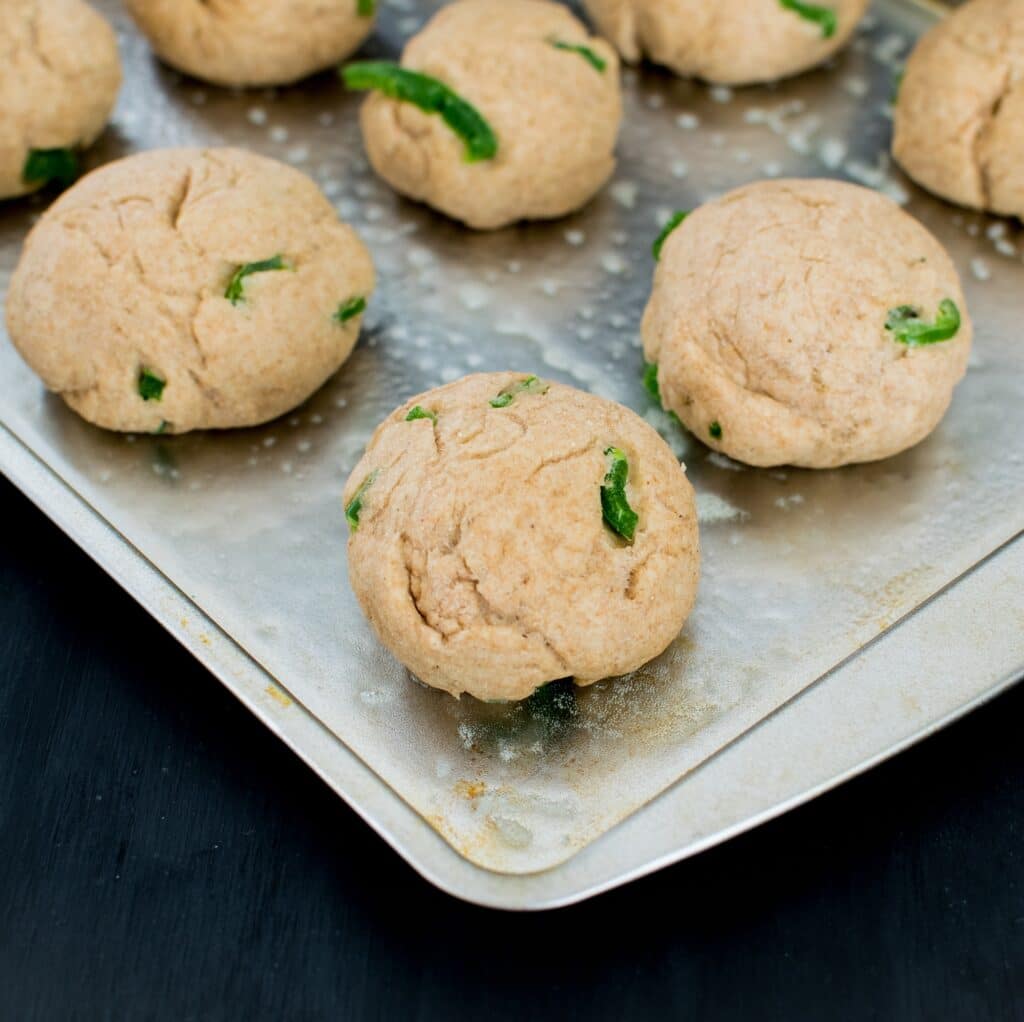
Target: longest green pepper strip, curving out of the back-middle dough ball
point(431, 96)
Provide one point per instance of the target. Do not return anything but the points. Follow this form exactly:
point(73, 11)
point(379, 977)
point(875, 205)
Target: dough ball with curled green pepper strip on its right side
point(769, 325)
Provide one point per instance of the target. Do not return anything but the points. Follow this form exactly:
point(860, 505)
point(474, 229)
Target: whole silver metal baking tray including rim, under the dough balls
point(842, 615)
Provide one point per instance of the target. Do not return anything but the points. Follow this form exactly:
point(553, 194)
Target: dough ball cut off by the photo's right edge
point(960, 115)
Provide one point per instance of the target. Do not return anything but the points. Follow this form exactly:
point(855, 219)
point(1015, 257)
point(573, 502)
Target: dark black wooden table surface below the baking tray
point(164, 858)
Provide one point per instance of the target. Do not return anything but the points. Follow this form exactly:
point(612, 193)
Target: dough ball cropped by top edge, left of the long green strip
point(252, 42)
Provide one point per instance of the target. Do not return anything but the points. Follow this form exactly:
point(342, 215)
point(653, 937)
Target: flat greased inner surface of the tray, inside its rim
point(801, 570)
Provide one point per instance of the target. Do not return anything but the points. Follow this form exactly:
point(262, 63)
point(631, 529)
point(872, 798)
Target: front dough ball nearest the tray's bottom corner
point(481, 556)
